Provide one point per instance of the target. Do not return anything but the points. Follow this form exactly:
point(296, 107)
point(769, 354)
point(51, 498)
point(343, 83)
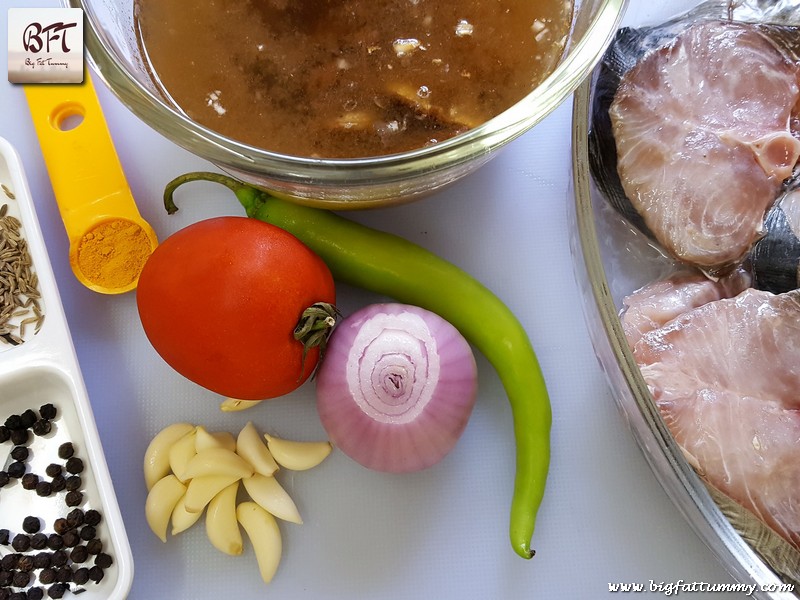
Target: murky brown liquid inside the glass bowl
point(349, 78)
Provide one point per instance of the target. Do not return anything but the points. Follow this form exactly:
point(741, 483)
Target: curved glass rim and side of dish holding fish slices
point(612, 260)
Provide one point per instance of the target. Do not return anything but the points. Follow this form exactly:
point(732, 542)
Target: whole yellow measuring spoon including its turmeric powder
point(109, 240)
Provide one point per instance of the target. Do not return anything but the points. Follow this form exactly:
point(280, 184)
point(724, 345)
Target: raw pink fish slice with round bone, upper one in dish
point(704, 141)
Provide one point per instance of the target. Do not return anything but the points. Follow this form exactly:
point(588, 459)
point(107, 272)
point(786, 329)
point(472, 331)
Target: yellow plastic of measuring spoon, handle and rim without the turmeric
point(87, 178)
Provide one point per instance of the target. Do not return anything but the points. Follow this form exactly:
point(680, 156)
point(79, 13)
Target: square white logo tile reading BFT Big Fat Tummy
point(45, 45)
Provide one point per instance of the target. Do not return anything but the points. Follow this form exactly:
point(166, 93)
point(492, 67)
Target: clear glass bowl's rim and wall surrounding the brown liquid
point(339, 183)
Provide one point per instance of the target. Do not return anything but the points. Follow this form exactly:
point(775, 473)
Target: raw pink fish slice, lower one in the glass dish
point(725, 376)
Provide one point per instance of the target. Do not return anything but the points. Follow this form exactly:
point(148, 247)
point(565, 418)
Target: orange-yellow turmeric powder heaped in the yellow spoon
point(112, 254)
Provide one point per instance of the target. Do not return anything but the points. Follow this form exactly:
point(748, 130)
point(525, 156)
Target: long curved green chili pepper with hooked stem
point(392, 266)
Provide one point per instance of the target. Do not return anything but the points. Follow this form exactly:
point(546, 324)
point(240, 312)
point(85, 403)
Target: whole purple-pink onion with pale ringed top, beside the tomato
point(396, 388)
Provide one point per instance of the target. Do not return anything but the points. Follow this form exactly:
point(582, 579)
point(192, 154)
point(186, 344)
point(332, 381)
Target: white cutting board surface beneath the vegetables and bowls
point(441, 533)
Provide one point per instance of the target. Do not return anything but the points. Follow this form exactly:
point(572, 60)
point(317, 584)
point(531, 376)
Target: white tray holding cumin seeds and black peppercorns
point(44, 369)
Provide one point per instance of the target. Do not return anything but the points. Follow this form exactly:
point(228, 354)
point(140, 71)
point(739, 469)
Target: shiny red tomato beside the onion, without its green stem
point(219, 301)
